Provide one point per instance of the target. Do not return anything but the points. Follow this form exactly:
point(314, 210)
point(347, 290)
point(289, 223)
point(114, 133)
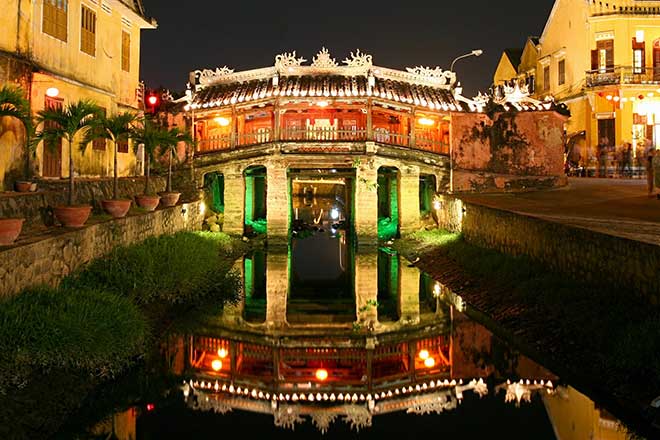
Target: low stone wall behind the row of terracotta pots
point(36, 207)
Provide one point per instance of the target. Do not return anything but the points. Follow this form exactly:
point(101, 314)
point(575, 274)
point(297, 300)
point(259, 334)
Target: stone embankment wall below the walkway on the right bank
point(579, 253)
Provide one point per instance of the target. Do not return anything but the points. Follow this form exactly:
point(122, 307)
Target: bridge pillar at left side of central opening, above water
point(277, 214)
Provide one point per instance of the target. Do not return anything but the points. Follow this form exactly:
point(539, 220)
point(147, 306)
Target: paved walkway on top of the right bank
point(617, 207)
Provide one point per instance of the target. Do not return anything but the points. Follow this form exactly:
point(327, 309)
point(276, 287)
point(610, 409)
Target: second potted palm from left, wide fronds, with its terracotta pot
point(70, 123)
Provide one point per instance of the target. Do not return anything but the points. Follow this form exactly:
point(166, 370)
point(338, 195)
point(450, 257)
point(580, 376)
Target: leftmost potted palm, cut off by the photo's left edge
point(14, 104)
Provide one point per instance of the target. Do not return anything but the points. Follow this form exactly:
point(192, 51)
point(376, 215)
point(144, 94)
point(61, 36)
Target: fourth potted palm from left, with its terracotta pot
point(149, 135)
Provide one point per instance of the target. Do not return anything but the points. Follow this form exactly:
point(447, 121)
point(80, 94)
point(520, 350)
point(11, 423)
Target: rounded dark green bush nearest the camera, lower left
point(83, 330)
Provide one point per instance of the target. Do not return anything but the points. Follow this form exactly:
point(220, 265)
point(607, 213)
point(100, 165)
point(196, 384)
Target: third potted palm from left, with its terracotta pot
point(115, 128)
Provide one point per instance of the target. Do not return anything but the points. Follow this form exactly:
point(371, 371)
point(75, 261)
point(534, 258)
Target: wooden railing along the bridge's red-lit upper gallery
point(422, 141)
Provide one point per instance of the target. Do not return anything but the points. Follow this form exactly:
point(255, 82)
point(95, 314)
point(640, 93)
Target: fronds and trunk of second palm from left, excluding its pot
point(70, 123)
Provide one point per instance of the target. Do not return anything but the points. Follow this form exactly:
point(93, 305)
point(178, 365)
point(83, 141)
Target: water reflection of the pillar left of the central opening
point(277, 287)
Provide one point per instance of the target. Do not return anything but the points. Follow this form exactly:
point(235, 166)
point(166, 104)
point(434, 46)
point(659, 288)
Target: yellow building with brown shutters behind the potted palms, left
point(60, 51)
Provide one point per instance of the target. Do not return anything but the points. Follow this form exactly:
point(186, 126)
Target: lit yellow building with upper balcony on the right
point(603, 61)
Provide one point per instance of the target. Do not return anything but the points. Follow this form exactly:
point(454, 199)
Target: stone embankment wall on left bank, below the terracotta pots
point(48, 260)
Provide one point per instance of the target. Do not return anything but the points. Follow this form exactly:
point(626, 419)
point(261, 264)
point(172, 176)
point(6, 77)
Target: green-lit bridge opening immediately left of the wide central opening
point(256, 199)
